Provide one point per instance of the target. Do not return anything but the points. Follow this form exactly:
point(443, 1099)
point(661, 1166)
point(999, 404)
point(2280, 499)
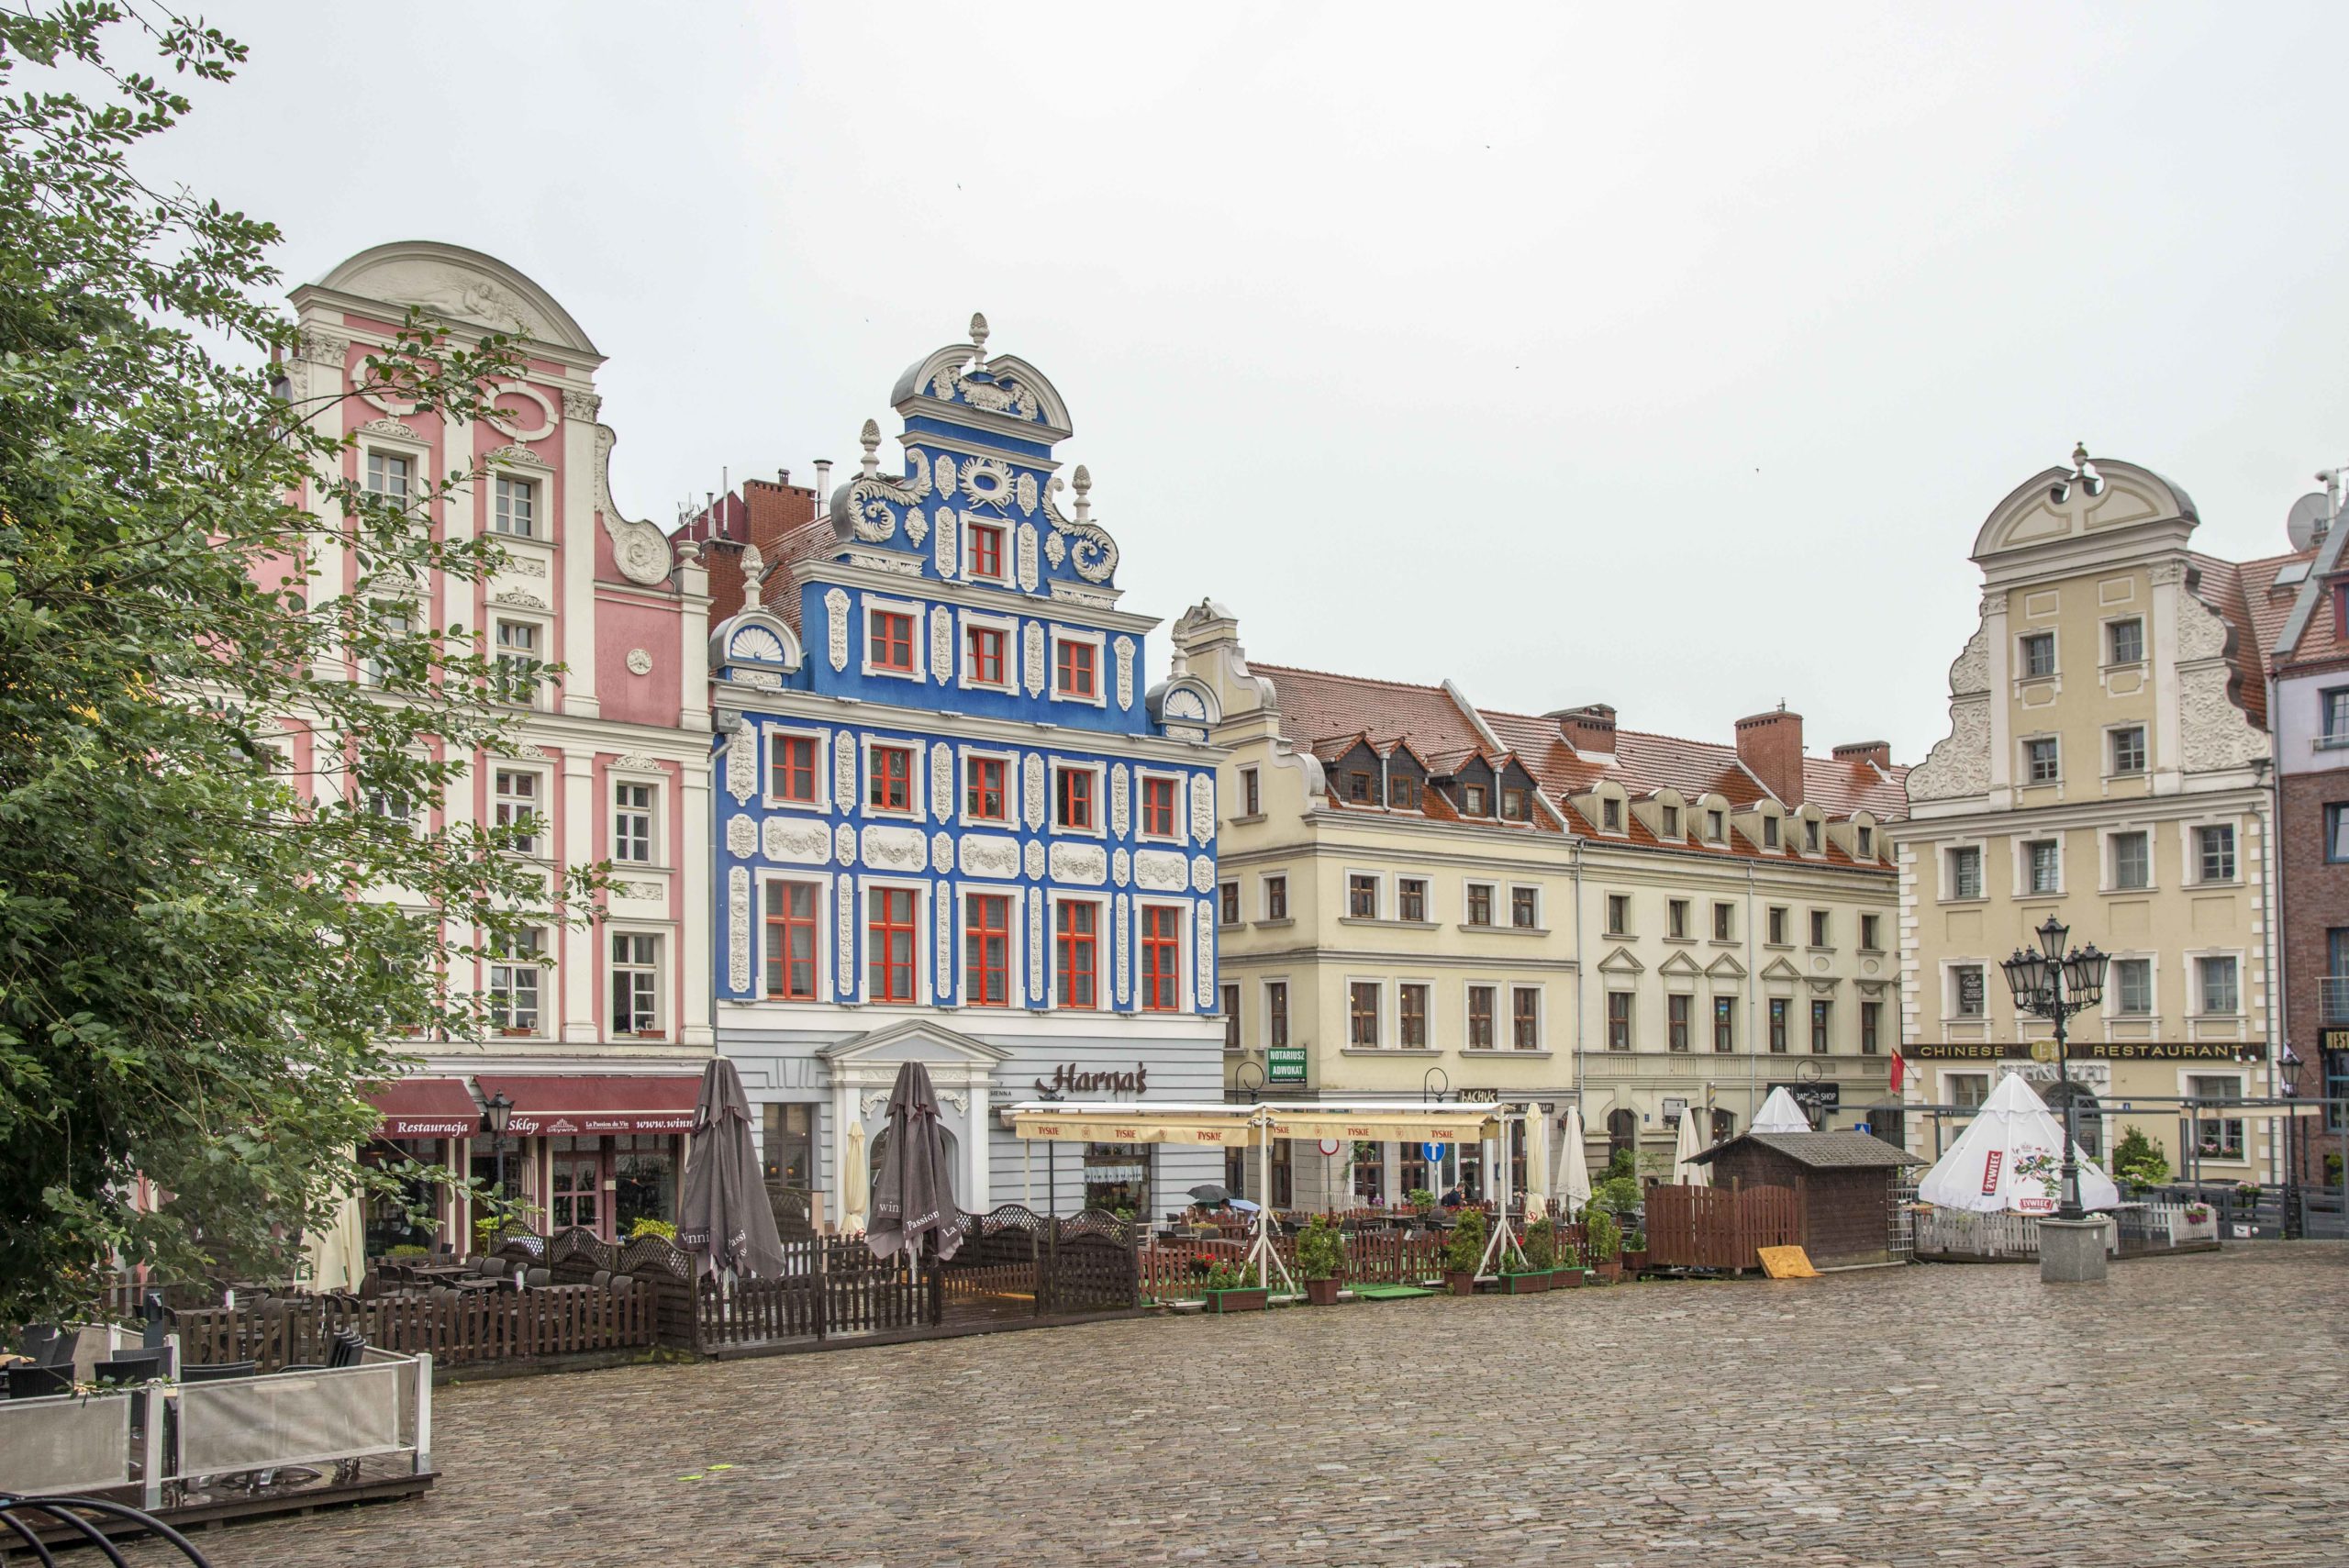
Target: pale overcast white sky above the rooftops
point(1648, 356)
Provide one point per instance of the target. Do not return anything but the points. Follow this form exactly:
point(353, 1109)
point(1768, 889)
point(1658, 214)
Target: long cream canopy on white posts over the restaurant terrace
point(1223, 1126)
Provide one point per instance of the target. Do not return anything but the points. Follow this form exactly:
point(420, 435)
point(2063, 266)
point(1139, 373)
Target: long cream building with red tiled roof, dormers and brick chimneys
point(1429, 898)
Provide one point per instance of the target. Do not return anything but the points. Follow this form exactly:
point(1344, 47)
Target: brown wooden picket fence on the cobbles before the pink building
point(459, 1327)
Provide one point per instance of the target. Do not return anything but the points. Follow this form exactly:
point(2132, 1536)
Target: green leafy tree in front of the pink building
point(198, 957)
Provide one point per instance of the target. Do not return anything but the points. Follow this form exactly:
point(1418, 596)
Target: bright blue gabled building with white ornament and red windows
point(953, 827)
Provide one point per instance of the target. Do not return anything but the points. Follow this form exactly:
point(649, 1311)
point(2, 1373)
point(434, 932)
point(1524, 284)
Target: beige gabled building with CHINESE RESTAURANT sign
point(2108, 762)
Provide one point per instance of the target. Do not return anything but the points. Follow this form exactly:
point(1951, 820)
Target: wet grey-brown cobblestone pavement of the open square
point(2188, 1412)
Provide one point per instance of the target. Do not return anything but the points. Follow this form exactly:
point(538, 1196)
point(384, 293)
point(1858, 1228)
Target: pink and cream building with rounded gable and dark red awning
point(605, 1027)
